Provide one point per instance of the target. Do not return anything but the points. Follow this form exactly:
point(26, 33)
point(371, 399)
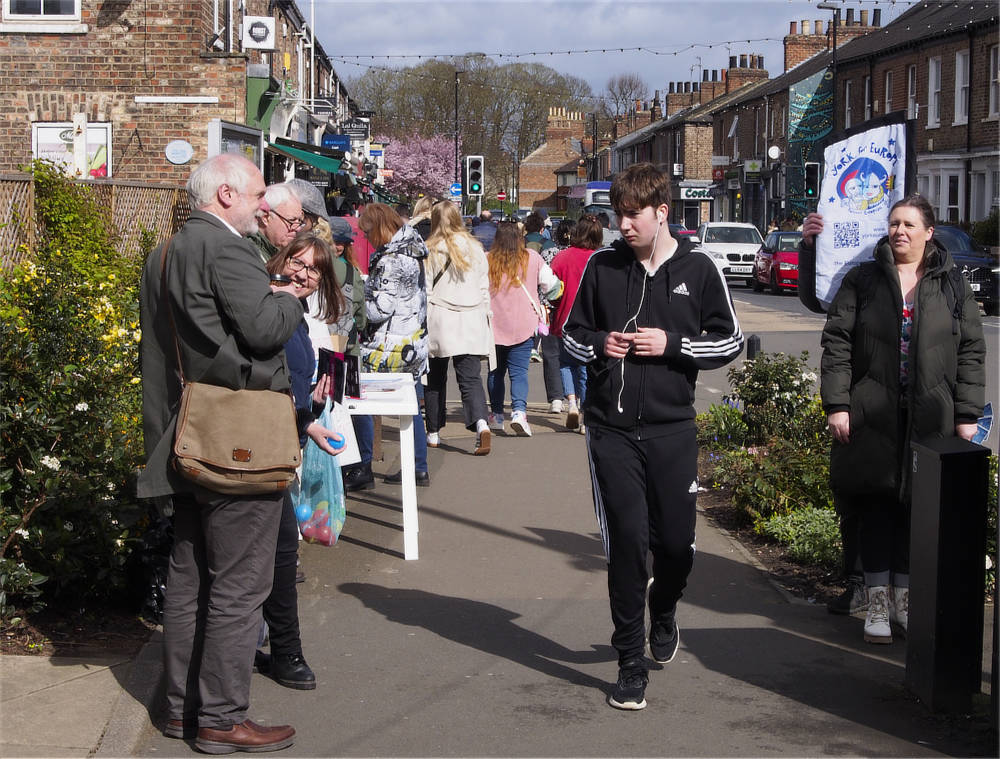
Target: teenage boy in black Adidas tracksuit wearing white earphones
point(650, 312)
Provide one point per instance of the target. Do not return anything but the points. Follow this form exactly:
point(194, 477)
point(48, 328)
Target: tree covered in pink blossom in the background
point(419, 165)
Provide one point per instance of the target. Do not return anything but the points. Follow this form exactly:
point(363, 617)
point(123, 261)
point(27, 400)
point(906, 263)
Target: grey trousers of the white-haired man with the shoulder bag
point(221, 568)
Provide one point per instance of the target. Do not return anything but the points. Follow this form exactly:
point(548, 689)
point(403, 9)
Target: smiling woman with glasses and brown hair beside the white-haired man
point(308, 262)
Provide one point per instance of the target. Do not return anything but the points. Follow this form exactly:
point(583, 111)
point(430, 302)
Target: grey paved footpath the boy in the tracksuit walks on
point(495, 642)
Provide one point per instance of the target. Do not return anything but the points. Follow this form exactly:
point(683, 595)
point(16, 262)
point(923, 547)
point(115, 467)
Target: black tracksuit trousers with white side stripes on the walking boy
point(644, 496)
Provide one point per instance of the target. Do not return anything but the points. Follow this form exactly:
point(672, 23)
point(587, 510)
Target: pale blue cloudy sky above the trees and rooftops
point(678, 38)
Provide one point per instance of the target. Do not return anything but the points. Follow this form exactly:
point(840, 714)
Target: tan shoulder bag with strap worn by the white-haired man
point(238, 442)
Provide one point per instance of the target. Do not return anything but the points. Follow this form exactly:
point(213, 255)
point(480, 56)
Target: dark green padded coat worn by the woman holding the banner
point(860, 370)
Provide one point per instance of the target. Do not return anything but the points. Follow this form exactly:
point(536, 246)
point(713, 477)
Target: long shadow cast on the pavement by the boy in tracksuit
point(482, 626)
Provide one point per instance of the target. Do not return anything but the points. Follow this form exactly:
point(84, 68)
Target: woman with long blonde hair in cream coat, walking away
point(458, 323)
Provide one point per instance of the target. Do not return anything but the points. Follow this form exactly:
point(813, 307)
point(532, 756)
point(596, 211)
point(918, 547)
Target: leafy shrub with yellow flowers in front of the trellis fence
point(70, 405)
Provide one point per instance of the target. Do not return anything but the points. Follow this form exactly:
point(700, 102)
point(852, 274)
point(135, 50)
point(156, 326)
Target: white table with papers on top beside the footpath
point(394, 395)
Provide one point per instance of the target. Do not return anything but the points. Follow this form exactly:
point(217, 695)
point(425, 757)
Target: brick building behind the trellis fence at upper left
point(146, 76)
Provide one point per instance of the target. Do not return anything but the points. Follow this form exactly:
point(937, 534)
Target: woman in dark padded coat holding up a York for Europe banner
point(903, 360)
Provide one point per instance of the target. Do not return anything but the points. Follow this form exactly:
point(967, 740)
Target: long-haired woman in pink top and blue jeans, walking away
point(517, 274)
